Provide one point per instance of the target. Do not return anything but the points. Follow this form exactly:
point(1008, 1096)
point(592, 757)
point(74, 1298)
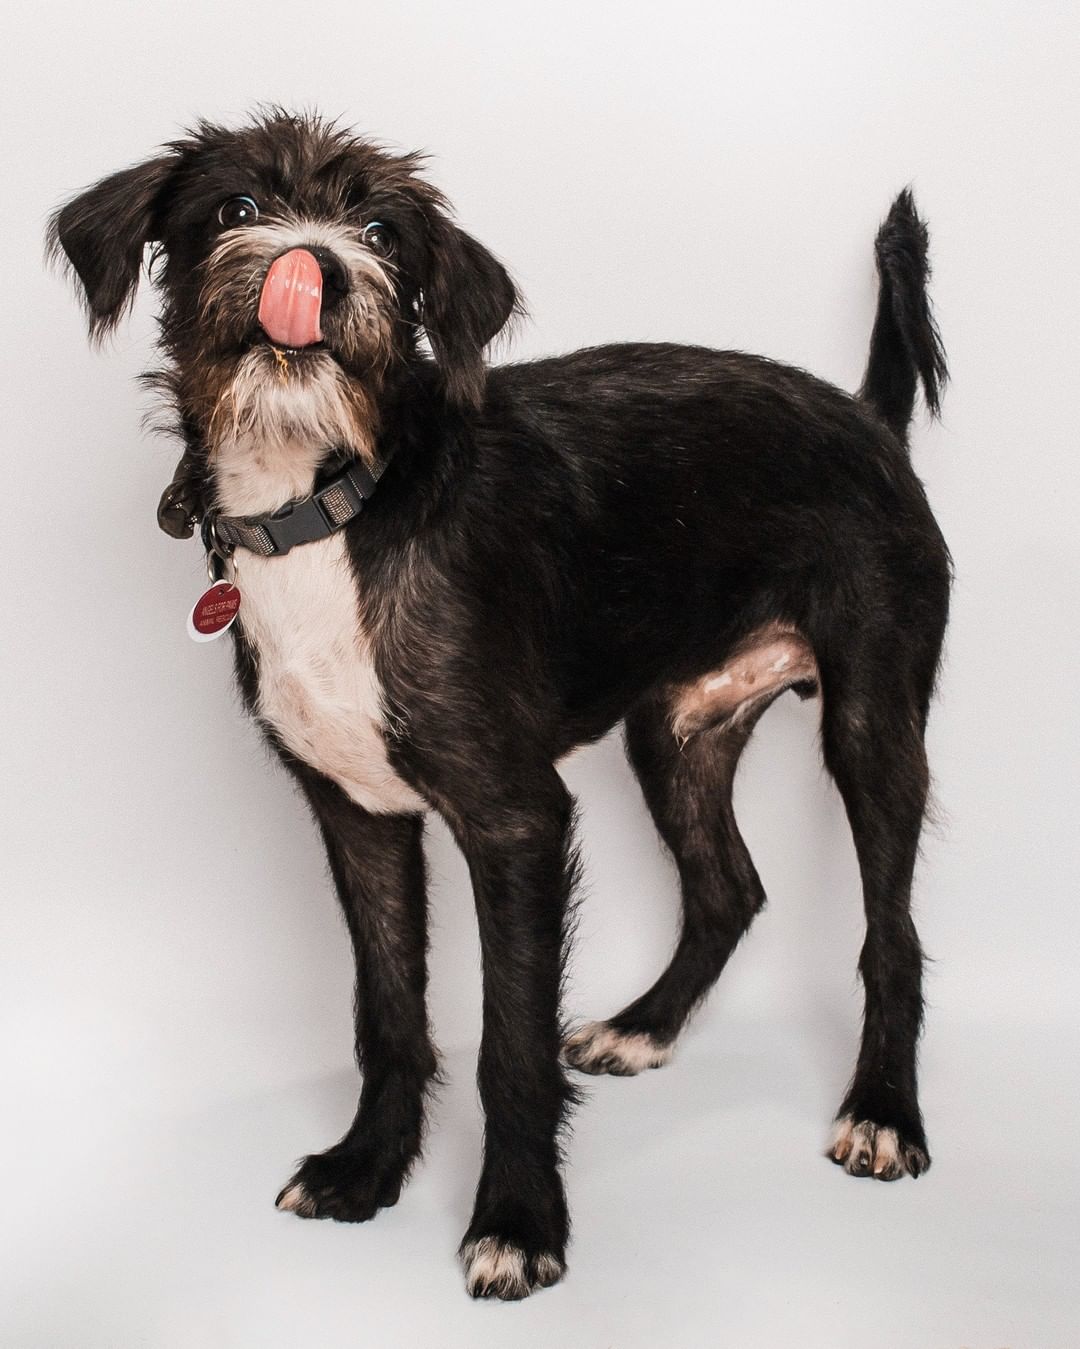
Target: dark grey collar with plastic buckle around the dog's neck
point(336, 501)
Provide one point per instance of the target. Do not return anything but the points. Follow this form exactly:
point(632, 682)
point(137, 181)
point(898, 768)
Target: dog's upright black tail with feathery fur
point(905, 346)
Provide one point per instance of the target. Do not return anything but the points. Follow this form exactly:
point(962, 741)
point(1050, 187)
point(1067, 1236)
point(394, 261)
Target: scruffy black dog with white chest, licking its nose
point(452, 575)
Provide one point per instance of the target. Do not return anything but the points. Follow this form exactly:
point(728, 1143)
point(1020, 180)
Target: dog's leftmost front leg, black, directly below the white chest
point(378, 868)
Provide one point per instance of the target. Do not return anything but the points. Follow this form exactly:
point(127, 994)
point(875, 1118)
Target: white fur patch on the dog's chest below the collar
point(318, 685)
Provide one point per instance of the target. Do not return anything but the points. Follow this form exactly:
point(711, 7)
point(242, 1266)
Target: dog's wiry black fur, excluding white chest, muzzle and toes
point(556, 547)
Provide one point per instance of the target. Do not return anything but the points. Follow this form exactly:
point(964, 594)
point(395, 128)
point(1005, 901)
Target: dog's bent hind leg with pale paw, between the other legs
point(688, 787)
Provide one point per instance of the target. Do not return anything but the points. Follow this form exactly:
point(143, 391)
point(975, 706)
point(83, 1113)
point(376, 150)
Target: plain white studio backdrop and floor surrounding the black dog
point(176, 987)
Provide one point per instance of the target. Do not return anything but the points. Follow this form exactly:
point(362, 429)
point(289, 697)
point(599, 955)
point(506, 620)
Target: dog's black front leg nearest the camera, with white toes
point(521, 861)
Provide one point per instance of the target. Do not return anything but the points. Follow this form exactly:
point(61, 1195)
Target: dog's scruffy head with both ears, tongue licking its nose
point(297, 266)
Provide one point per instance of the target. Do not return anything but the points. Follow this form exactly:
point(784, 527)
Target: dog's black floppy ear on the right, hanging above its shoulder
point(469, 297)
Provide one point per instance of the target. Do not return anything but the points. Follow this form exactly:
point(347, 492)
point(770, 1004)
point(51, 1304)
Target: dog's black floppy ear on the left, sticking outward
point(103, 233)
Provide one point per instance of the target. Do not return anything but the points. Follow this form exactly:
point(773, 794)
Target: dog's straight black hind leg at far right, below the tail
point(873, 735)
